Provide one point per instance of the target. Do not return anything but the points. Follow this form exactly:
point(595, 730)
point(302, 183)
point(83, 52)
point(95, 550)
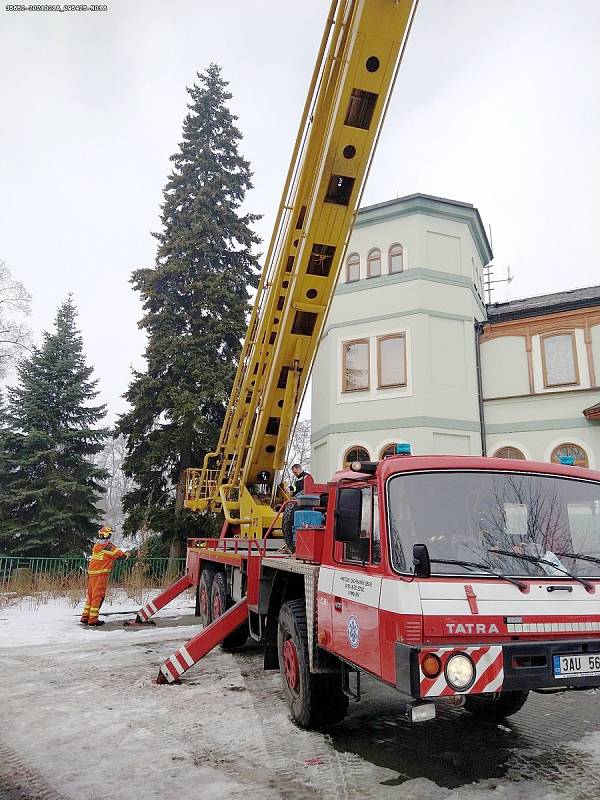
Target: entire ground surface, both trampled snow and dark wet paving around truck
point(82, 719)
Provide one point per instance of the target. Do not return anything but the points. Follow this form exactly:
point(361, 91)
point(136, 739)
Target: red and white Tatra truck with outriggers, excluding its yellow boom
point(471, 579)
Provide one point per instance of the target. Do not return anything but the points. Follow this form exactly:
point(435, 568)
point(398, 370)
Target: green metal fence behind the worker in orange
point(155, 570)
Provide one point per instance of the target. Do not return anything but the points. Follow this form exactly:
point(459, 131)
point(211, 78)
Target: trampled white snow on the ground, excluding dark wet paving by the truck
point(81, 718)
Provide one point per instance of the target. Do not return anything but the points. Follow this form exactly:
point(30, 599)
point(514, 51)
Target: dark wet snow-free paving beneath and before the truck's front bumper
point(457, 749)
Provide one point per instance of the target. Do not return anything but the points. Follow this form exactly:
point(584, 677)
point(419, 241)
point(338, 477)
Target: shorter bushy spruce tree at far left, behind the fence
point(48, 506)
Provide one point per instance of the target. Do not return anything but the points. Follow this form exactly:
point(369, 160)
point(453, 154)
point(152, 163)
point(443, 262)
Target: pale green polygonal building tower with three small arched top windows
point(398, 360)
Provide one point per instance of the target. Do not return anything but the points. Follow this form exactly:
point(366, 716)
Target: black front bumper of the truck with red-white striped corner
point(525, 665)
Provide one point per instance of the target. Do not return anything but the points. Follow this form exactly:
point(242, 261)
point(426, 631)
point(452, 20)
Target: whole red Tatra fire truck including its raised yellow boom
point(465, 578)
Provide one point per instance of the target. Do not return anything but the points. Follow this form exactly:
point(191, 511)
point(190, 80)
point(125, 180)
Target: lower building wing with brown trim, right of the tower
point(540, 362)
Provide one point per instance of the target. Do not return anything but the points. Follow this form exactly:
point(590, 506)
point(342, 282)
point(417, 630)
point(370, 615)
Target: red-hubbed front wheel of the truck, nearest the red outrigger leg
point(315, 700)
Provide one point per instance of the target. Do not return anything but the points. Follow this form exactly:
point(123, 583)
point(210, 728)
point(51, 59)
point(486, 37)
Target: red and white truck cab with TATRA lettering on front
point(449, 576)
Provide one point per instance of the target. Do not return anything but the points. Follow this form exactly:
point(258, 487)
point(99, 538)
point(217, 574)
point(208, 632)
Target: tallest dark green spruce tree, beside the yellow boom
point(195, 302)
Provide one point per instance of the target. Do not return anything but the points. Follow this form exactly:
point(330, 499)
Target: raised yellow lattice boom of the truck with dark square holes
point(358, 59)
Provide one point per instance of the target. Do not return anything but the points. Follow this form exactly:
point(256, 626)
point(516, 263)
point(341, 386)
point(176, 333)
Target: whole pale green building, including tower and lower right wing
point(398, 361)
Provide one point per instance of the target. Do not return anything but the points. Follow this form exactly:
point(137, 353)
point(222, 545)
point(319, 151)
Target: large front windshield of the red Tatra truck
point(470, 516)
